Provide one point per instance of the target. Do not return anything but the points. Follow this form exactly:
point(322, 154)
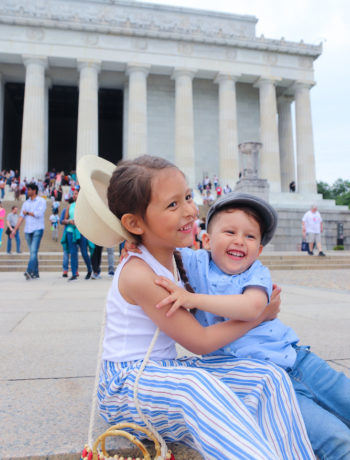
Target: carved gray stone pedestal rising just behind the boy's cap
point(249, 182)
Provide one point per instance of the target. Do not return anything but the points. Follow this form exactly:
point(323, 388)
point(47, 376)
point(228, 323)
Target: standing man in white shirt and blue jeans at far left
point(33, 212)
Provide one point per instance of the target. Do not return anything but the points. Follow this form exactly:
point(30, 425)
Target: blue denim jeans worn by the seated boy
point(324, 398)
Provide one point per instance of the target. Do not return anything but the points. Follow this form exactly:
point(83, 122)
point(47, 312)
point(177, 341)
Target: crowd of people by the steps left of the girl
point(60, 190)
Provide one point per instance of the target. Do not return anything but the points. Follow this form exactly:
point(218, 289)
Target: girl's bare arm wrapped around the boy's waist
point(137, 286)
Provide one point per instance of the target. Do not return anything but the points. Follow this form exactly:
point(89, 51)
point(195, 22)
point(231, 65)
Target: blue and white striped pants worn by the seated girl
point(226, 408)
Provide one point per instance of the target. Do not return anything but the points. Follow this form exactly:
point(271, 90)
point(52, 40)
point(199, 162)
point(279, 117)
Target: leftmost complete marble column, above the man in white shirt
point(33, 151)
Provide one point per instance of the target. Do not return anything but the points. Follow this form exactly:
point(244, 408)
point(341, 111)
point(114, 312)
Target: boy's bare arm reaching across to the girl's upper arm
point(244, 307)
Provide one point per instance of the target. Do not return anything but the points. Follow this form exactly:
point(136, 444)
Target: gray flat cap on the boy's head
point(262, 207)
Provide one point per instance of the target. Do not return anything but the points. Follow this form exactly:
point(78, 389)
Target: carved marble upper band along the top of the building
point(146, 20)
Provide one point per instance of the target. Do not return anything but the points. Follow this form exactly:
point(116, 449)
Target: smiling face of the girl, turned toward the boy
point(170, 214)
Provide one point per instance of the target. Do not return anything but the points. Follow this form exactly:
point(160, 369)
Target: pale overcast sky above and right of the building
point(314, 21)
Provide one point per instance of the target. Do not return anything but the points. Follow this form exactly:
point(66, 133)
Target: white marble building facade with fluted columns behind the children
point(195, 84)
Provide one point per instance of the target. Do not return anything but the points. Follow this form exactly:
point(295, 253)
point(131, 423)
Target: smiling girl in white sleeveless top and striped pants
point(223, 407)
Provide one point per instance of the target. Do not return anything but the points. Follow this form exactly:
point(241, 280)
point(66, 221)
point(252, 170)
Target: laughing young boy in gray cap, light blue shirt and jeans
point(238, 226)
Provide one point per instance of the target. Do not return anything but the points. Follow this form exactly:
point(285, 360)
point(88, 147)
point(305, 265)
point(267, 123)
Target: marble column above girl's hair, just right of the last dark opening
point(137, 110)
